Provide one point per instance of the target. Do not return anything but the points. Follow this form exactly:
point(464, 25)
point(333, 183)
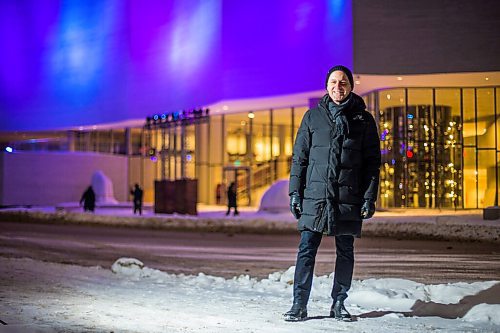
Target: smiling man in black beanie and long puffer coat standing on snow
point(334, 181)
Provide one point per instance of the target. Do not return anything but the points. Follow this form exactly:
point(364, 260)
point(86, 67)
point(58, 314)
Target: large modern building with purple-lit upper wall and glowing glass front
point(429, 76)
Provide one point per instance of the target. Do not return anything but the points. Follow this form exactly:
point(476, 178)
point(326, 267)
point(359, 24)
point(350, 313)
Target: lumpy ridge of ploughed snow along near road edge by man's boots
point(390, 294)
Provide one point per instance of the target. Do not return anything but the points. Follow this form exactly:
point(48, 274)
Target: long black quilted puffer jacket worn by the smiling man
point(335, 174)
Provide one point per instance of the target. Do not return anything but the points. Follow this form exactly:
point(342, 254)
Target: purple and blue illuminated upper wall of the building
point(71, 63)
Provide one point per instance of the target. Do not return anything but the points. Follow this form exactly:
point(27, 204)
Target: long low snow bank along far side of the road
point(403, 227)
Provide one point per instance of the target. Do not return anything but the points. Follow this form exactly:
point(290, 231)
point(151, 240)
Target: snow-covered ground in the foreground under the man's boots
point(128, 297)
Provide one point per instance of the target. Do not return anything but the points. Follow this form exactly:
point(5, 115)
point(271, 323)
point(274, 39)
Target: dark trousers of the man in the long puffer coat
point(306, 258)
